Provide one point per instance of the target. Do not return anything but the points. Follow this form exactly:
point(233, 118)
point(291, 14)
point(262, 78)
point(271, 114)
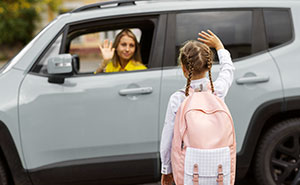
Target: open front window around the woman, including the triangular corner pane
point(82, 41)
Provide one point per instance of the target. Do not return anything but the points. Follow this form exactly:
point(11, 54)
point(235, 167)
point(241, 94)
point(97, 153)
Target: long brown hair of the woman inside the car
point(136, 56)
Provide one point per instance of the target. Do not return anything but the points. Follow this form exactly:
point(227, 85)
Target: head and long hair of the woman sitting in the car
point(127, 47)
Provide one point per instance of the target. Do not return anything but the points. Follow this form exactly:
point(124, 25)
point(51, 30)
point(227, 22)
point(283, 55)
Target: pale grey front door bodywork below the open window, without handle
point(86, 117)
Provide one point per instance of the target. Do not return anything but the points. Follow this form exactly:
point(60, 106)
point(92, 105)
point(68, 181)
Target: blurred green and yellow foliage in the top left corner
point(18, 19)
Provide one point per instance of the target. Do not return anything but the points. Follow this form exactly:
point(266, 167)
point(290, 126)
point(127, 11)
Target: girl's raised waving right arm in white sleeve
point(225, 77)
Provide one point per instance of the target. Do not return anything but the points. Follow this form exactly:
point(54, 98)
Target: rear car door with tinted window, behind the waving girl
point(256, 76)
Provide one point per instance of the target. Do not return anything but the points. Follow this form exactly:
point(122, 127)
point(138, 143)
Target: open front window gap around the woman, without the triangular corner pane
point(82, 41)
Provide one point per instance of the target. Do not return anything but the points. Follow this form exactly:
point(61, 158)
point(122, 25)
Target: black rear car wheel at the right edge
point(278, 156)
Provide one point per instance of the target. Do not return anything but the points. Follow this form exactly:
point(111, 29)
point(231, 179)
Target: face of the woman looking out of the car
point(126, 48)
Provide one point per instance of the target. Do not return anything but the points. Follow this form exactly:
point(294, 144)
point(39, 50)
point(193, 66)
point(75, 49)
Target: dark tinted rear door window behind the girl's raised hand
point(233, 27)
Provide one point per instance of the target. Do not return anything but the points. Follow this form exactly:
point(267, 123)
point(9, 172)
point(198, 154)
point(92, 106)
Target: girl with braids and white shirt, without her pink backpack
point(196, 60)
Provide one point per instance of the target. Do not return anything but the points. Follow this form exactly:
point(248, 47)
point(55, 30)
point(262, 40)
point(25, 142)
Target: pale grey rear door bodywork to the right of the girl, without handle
point(248, 97)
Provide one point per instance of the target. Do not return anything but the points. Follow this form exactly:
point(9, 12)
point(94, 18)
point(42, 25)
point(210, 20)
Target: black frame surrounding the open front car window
point(154, 53)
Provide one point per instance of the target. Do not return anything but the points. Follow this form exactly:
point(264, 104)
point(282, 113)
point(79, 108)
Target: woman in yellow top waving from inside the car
point(122, 55)
